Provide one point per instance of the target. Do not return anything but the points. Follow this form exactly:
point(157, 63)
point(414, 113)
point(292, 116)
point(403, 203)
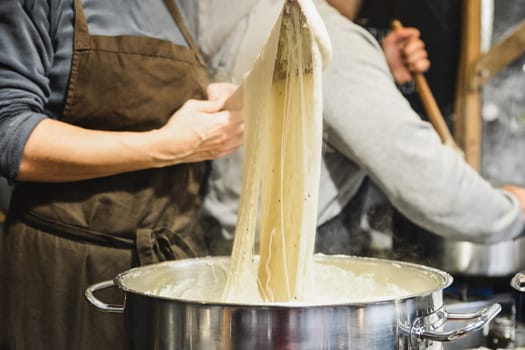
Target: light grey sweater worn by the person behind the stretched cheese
point(371, 130)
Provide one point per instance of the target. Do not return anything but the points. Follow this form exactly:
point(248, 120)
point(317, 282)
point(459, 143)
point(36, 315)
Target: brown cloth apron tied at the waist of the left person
point(60, 238)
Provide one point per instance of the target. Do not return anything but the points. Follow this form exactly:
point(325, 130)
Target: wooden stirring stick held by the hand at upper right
point(430, 105)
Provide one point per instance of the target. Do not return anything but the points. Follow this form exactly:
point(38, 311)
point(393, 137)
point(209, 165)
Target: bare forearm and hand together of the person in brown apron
point(198, 131)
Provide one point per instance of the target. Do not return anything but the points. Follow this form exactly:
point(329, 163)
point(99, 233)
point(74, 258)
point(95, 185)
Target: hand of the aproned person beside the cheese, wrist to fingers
point(203, 130)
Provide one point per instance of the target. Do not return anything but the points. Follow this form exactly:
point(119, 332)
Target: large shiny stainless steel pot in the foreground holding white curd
point(414, 321)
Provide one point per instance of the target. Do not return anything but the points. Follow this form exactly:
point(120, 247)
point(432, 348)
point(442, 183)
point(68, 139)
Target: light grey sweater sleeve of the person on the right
point(370, 122)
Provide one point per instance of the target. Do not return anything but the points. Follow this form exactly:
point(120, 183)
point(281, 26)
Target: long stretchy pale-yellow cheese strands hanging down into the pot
point(282, 162)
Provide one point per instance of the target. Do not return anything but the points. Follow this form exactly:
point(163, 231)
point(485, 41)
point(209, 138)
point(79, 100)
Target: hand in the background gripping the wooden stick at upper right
point(405, 54)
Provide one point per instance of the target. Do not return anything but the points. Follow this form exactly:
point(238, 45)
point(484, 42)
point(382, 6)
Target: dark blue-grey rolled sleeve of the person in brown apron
point(26, 53)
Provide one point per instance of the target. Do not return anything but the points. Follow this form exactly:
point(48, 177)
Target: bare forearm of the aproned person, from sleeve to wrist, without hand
point(57, 152)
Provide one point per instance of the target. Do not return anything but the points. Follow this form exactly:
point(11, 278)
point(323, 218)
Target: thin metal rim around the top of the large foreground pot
point(446, 281)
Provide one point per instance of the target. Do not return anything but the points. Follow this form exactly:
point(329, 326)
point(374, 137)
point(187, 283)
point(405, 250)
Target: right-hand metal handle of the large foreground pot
point(479, 320)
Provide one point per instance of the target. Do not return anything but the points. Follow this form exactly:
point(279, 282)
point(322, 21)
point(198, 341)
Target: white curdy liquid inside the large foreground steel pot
point(332, 284)
